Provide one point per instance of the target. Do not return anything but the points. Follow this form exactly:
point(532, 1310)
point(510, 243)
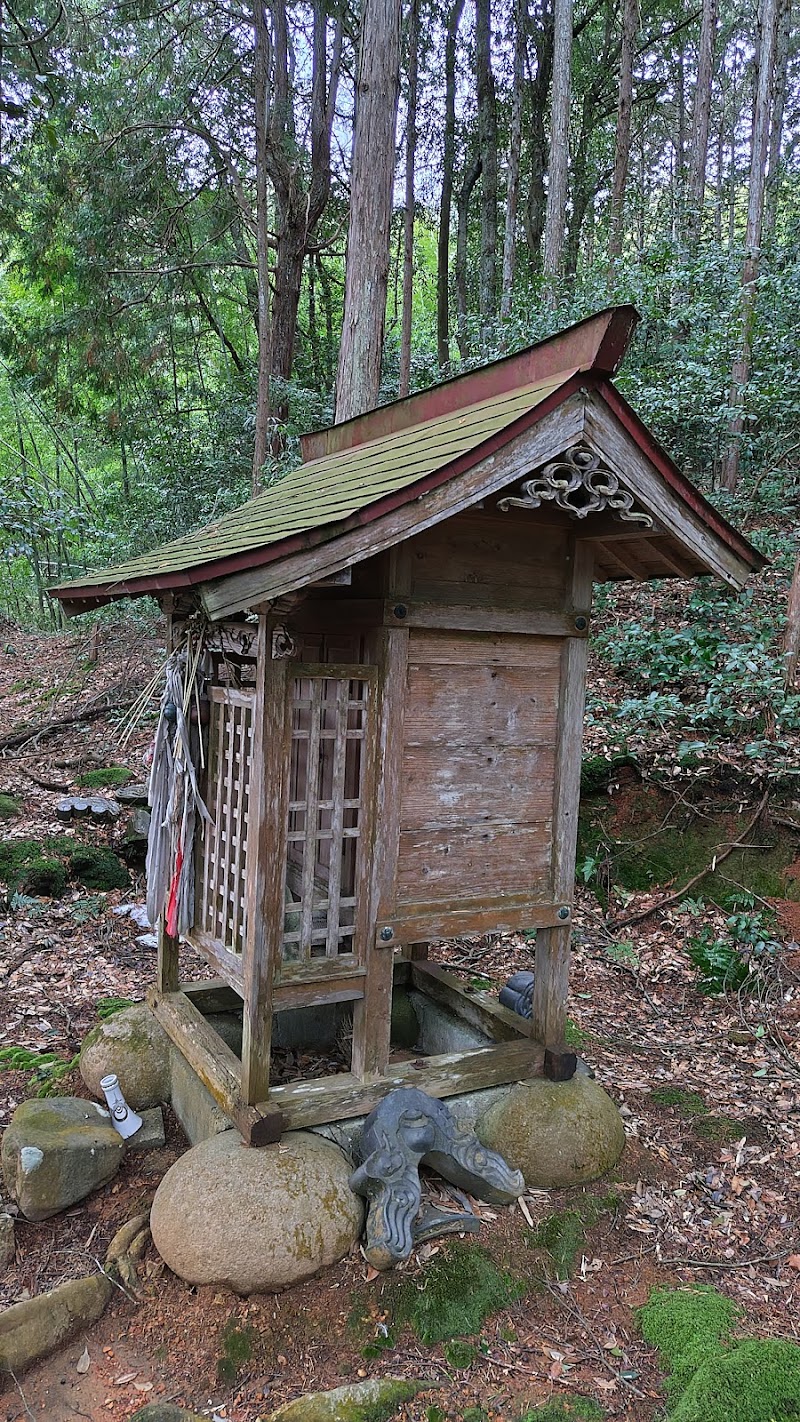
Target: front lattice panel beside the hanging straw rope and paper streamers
point(221, 899)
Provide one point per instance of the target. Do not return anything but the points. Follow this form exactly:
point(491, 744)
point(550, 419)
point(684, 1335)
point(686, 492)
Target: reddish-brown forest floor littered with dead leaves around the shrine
point(708, 1190)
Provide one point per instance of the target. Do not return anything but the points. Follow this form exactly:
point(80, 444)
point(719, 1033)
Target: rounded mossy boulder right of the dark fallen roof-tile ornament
point(556, 1133)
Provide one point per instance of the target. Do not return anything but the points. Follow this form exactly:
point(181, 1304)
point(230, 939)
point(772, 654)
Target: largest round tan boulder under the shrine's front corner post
point(256, 1221)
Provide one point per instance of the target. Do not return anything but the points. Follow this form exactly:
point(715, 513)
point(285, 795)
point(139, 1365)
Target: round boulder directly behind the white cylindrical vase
point(134, 1047)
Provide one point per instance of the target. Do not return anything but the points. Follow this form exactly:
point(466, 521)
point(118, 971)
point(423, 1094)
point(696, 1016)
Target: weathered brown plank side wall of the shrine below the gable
point(481, 719)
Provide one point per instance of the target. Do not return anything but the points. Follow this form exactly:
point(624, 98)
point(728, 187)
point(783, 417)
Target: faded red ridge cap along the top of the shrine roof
point(598, 345)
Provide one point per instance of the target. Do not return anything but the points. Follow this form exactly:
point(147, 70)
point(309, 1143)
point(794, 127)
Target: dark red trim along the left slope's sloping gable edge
point(262, 557)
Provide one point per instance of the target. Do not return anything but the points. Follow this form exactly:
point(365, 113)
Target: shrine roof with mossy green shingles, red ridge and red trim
point(359, 473)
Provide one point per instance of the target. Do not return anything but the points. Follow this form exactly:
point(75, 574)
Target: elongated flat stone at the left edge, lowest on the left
point(42, 1325)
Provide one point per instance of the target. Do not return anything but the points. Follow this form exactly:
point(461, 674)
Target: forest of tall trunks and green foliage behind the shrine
point(202, 204)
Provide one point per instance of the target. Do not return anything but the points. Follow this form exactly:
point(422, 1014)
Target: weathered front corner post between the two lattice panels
point(265, 891)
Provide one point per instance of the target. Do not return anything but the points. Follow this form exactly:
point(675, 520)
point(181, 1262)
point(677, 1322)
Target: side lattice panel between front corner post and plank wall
point(326, 813)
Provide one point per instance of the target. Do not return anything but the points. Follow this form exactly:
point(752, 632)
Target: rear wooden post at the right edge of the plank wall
point(553, 945)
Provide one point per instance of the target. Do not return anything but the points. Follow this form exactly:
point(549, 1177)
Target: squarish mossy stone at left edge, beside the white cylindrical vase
point(56, 1153)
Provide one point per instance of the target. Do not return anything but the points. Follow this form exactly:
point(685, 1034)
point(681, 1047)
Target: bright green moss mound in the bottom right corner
point(713, 1377)
